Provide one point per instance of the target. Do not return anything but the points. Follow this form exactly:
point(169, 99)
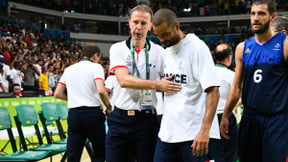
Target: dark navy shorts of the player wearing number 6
point(263, 138)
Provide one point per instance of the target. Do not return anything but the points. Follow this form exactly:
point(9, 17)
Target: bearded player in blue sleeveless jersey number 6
point(262, 76)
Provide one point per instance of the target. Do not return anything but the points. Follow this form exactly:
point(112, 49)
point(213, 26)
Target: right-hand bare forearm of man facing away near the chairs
point(103, 93)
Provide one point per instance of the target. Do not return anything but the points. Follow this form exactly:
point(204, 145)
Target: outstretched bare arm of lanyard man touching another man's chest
point(129, 81)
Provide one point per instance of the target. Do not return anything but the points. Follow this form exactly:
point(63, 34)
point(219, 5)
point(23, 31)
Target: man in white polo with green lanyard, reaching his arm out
point(137, 64)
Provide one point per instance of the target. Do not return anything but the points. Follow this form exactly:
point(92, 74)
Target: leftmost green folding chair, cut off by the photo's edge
point(5, 124)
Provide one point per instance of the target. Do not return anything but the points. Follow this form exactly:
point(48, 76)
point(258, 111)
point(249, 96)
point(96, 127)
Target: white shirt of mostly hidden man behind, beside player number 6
point(226, 78)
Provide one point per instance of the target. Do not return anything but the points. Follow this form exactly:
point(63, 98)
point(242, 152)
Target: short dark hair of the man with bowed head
point(164, 15)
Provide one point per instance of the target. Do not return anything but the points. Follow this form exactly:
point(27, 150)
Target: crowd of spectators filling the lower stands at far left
point(32, 59)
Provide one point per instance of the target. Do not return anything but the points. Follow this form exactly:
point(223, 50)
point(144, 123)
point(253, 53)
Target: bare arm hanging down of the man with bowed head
point(201, 141)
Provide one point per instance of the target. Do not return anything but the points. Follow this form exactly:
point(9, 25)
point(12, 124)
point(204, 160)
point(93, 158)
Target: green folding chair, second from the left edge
point(27, 116)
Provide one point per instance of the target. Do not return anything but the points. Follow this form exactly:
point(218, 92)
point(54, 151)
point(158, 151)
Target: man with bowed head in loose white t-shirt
point(188, 124)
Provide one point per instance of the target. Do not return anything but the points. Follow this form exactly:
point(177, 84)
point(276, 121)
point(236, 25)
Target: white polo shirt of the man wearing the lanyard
point(120, 56)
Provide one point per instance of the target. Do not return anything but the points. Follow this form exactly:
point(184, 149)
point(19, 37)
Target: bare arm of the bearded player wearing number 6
point(234, 92)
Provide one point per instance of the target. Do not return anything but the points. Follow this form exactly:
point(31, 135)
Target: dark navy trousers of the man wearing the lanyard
point(131, 135)
